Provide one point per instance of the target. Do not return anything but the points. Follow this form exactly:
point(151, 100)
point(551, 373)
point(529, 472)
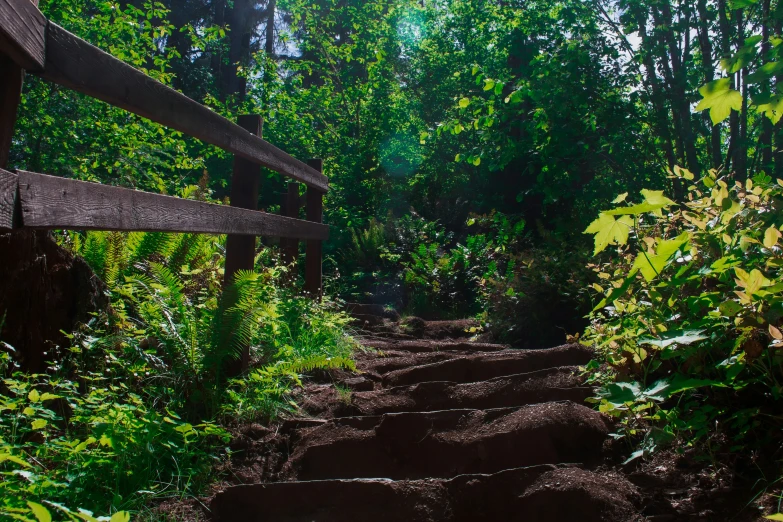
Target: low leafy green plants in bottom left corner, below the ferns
point(56, 440)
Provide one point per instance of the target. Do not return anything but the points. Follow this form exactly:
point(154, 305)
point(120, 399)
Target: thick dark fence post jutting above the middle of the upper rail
point(245, 183)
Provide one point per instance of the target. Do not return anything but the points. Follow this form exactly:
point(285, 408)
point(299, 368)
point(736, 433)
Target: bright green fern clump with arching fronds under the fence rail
point(182, 329)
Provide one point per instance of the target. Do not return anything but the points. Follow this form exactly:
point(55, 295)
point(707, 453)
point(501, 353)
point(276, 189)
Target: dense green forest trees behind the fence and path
point(437, 121)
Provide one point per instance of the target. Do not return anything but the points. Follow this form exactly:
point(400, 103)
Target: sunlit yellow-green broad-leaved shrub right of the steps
point(688, 323)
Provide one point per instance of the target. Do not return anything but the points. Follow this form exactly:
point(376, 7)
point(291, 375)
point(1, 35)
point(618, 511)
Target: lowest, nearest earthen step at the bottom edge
point(540, 493)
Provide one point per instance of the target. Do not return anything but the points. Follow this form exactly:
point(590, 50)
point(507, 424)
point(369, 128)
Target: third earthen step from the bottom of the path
point(551, 384)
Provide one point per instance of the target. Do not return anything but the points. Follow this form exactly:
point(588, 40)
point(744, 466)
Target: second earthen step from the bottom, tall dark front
point(447, 443)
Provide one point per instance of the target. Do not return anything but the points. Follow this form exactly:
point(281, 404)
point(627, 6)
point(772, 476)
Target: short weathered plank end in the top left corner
point(23, 33)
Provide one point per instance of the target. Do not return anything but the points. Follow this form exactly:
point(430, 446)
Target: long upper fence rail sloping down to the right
point(74, 63)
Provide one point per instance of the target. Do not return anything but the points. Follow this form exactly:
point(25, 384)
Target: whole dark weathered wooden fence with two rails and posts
point(31, 43)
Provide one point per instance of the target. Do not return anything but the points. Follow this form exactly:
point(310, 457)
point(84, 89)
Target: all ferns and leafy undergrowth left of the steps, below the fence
point(135, 409)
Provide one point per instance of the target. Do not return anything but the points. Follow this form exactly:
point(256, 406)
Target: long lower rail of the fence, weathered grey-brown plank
point(50, 202)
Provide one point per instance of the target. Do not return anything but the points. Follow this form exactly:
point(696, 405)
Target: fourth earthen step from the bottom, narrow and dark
point(480, 367)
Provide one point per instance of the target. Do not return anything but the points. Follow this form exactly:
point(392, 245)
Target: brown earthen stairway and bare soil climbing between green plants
point(440, 426)
